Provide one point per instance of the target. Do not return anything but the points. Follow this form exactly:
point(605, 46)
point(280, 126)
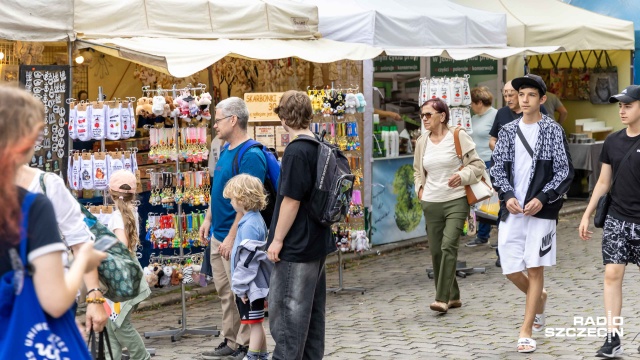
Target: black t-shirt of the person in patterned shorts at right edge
point(625, 197)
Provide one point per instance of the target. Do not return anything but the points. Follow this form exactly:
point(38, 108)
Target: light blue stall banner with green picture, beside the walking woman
point(396, 213)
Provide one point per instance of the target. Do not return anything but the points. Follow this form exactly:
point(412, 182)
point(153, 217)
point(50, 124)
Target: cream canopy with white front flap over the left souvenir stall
point(181, 43)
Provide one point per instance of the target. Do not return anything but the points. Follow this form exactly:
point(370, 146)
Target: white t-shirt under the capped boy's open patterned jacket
point(522, 164)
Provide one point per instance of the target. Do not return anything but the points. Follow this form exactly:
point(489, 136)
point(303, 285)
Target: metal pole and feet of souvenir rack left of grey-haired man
point(177, 333)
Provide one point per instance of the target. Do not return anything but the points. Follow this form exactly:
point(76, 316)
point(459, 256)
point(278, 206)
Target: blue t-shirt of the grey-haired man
point(222, 213)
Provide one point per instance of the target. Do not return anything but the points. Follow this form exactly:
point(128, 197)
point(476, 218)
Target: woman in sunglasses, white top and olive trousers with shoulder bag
point(439, 183)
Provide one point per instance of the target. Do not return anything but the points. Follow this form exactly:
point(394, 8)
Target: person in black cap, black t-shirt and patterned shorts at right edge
point(621, 233)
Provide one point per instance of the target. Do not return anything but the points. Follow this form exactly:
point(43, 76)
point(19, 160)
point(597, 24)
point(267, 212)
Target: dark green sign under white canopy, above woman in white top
point(477, 65)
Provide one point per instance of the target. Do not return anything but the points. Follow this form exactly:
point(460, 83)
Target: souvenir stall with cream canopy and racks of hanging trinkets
point(158, 41)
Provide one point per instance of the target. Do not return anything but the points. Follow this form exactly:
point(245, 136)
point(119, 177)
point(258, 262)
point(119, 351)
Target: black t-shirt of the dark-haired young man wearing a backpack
point(307, 240)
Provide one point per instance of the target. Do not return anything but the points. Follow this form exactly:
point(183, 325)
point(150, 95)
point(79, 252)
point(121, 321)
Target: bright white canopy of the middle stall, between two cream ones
point(419, 28)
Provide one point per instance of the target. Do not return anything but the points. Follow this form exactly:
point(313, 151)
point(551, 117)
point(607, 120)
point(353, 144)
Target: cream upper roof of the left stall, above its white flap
point(43, 20)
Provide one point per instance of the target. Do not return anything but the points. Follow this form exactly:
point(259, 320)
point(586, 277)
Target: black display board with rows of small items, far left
point(50, 84)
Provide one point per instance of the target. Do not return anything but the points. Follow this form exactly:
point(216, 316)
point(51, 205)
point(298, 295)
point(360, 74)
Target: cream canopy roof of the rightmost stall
point(551, 22)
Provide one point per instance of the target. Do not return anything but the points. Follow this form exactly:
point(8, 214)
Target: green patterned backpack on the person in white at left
point(120, 272)
